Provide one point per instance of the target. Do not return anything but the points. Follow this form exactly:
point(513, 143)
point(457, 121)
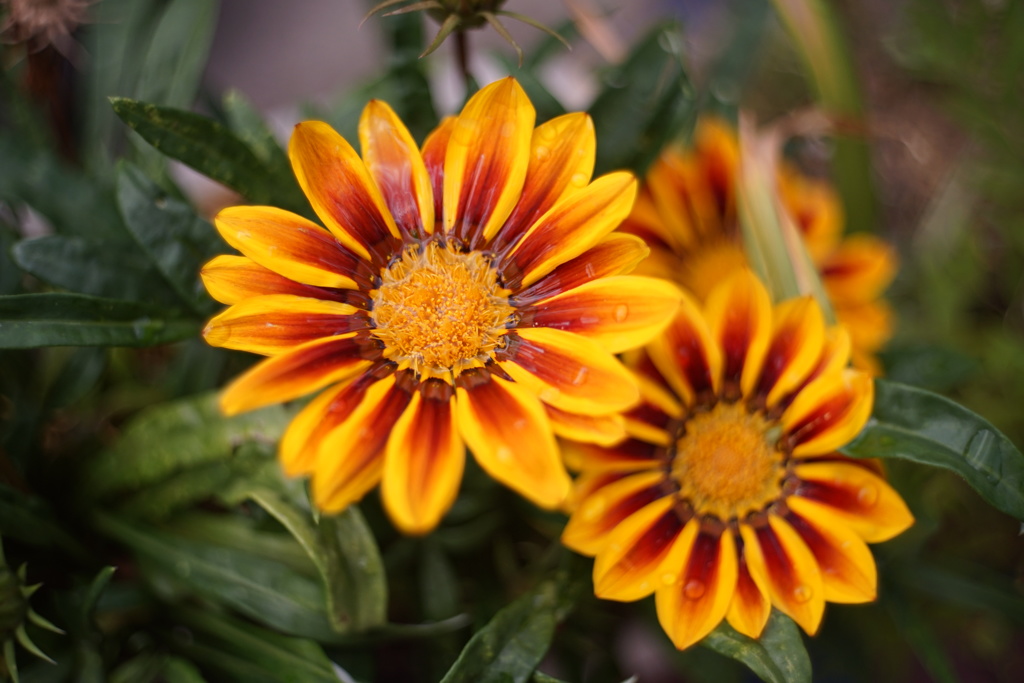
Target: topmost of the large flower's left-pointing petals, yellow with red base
point(293, 247)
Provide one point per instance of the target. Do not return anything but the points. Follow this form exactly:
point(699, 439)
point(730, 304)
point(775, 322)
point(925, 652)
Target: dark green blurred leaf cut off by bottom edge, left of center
point(247, 654)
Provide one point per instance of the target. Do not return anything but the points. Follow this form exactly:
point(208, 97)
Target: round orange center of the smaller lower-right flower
point(728, 464)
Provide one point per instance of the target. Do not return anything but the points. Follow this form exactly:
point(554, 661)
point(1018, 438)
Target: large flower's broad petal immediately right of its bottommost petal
point(506, 429)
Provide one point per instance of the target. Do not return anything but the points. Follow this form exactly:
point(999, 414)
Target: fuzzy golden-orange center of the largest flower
point(440, 312)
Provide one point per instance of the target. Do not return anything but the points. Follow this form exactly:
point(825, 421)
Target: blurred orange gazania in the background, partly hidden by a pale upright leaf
point(687, 211)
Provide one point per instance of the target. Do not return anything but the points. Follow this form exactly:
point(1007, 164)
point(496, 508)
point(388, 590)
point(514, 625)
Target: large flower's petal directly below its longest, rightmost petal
point(568, 371)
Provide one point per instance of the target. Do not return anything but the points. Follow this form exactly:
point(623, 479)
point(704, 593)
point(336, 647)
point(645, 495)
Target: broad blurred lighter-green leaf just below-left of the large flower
point(172, 438)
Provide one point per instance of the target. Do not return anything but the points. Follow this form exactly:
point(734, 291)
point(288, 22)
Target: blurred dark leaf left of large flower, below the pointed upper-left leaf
point(173, 236)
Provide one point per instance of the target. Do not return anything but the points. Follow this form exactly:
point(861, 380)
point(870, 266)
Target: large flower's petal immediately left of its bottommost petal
point(350, 459)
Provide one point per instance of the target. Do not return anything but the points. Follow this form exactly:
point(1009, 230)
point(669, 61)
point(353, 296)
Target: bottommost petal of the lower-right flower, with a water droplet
point(692, 609)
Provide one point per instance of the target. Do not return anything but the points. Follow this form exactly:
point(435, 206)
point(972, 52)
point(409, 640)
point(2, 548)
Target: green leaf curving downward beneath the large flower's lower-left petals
point(347, 557)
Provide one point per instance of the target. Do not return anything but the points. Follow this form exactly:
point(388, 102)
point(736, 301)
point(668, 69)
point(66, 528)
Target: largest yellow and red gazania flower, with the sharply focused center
point(468, 293)
